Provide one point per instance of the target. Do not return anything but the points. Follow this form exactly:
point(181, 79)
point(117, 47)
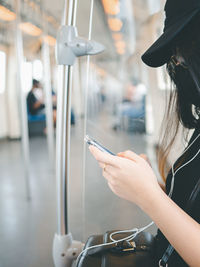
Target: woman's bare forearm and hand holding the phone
point(131, 177)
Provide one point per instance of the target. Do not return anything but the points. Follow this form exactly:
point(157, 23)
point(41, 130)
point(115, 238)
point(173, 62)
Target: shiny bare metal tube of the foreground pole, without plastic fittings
point(63, 131)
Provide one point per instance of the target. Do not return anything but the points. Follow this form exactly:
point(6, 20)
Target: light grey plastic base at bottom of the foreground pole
point(65, 250)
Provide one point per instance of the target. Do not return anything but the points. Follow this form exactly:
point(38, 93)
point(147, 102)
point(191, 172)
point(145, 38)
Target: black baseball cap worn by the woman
point(179, 13)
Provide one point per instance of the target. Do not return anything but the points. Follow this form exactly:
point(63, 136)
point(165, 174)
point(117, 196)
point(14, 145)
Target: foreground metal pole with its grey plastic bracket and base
point(65, 249)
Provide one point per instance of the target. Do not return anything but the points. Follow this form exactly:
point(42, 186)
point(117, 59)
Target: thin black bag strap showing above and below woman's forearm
point(163, 262)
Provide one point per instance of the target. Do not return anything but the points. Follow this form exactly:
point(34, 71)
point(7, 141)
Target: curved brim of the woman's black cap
point(161, 50)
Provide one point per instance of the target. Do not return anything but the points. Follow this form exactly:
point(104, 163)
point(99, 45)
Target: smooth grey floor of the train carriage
point(27, 227)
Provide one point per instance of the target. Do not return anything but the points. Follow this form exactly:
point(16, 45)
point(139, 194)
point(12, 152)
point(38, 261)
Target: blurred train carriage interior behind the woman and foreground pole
point(115, 99)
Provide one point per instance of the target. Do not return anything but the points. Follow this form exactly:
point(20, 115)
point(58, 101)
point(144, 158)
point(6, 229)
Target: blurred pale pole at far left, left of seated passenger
point(23, 108)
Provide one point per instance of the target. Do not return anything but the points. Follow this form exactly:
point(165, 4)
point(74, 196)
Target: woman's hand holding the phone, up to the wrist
point(129, 175)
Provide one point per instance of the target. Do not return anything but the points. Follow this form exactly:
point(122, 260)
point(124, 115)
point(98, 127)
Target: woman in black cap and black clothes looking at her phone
point(131, 177)
